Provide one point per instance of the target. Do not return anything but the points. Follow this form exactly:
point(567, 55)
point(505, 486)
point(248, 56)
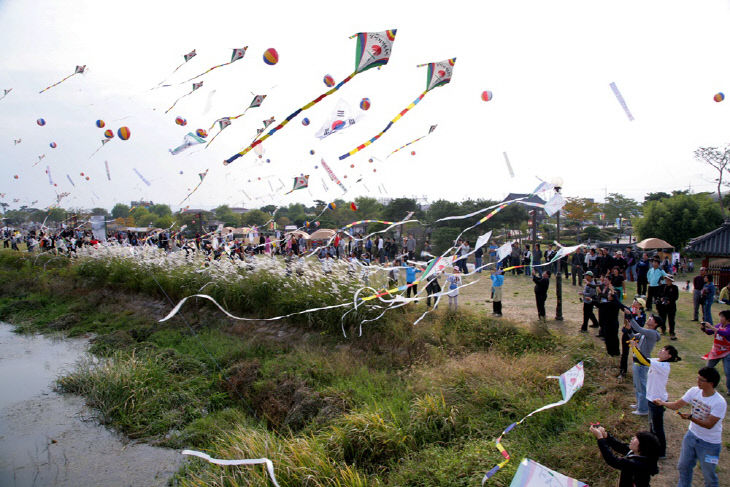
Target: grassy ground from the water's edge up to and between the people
point(399, 406)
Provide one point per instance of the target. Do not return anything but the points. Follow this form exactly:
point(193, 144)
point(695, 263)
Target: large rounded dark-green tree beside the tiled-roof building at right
point(679, 218)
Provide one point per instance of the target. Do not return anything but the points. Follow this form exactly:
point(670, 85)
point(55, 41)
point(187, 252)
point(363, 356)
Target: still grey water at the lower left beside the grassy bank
point(50, 439)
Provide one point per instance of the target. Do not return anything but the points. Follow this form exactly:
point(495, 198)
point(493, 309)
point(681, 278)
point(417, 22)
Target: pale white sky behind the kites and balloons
point(547, 64)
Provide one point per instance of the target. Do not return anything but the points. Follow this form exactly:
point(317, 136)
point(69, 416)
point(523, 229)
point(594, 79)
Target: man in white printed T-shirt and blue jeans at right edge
point(703, 440)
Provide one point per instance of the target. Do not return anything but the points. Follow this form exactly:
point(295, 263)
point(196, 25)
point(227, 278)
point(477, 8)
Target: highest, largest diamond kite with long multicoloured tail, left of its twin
point(373, 50)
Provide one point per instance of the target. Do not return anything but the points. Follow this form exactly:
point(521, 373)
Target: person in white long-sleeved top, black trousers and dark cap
point(656, 390)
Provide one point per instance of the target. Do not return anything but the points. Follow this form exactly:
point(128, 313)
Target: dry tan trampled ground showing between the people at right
point(518, 306)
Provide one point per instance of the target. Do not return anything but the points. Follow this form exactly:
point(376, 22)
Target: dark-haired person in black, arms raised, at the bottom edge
point(639, 462)
